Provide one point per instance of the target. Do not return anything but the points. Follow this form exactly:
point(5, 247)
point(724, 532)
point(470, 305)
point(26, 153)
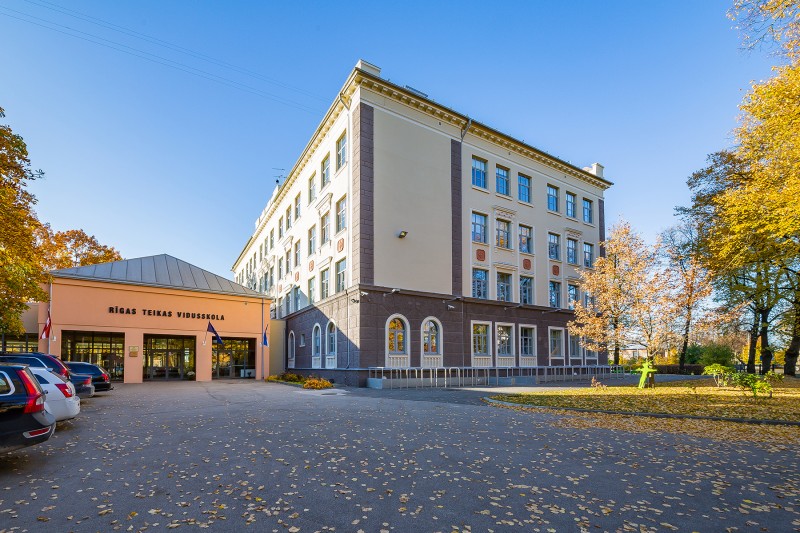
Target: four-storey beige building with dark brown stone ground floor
point(408, 235)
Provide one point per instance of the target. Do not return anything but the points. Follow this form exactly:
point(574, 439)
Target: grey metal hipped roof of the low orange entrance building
point(157, 271)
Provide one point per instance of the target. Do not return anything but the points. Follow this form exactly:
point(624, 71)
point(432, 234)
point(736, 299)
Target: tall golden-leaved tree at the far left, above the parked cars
point(20, 271)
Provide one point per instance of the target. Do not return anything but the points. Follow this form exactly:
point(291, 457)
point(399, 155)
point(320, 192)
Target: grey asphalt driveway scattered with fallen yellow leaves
point(270, 457)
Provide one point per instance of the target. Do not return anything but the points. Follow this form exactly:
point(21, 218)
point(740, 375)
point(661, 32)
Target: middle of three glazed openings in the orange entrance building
point(168, 357)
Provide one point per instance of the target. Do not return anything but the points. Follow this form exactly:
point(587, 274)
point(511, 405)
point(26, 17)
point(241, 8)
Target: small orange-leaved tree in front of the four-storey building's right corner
point(627, 301)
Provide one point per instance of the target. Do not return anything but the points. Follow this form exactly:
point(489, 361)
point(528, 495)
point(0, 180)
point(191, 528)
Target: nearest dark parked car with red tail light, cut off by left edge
point(23, 419)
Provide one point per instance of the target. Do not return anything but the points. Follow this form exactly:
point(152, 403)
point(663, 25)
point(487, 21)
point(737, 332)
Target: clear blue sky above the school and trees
point(153, 159)
